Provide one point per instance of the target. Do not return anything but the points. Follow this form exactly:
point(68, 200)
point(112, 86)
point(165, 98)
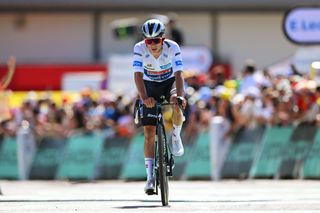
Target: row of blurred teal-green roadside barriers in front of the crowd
point(273, 152)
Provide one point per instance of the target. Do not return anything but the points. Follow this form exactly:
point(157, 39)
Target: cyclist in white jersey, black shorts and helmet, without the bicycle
point(158, 69)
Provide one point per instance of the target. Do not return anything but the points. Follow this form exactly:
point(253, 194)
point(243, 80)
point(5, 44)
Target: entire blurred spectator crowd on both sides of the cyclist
point(250, 99)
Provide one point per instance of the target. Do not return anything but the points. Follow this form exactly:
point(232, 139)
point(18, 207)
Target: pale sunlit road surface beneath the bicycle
point(185, 196)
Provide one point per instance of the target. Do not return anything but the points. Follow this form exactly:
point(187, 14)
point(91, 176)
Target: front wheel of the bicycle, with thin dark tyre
point(163, 178)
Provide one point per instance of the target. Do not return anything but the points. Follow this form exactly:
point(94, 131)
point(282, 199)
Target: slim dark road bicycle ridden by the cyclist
point(164, 162)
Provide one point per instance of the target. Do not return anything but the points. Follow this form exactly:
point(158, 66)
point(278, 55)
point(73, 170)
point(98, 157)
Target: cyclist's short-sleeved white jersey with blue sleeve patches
point(162, 68)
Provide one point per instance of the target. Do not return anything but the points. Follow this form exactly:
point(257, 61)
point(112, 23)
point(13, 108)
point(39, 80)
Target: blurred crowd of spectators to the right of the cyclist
point(255, 97)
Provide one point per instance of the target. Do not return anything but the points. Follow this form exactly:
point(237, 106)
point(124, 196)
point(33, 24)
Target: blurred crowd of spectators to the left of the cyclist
point(102, 111)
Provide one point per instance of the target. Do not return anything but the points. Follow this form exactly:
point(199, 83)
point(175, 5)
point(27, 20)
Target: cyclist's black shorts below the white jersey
point(160, 91)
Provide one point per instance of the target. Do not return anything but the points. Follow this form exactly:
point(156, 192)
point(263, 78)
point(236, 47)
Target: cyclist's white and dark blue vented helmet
point(153, 28)
